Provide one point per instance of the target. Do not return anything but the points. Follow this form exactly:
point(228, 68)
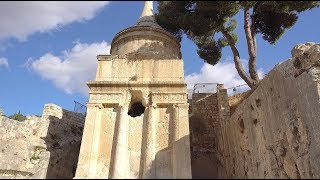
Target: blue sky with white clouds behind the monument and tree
point(48, 50)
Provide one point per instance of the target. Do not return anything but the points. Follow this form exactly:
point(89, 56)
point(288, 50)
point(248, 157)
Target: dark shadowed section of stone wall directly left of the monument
point(63, 141)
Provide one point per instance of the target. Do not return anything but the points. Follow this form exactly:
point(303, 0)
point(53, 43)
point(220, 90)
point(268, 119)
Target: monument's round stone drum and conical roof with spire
point(146, 38)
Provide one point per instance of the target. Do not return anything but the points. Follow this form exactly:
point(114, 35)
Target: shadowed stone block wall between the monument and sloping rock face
point(207, 113)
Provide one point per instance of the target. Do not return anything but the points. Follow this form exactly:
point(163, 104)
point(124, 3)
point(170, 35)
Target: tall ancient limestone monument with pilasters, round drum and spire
point(137, 119)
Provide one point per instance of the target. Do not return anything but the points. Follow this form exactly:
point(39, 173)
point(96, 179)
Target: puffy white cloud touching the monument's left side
point(71, 71)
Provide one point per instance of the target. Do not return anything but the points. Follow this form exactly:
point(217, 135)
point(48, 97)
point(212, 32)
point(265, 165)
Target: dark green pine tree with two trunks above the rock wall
point(202, 20)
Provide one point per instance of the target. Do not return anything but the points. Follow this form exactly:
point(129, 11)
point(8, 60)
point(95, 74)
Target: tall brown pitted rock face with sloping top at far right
point(274, 133)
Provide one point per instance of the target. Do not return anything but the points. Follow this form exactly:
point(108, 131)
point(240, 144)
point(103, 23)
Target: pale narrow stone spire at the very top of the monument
point(147, 17)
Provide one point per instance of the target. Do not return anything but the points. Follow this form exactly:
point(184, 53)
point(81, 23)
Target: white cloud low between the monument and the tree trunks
point(222, 73)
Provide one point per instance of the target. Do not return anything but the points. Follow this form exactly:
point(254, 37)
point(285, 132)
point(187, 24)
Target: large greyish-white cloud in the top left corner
point(20, 19)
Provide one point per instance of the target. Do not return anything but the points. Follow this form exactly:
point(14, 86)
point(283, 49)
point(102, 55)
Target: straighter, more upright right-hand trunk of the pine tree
point(251, 42)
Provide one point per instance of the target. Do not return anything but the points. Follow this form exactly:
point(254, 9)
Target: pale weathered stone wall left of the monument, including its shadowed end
point(41, 147)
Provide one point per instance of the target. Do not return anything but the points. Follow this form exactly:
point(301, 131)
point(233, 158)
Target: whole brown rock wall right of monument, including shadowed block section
point(271, 131)
